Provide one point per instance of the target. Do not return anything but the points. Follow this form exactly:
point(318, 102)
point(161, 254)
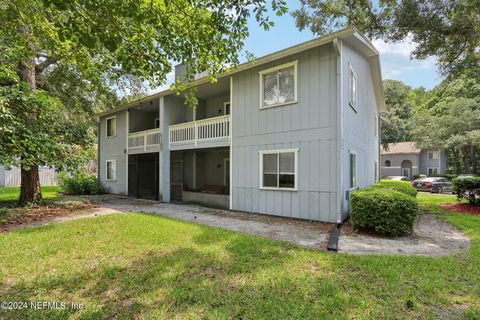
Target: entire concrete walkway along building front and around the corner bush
point(432, 236)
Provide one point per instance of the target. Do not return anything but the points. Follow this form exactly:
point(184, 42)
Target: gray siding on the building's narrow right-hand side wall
point(359, 126)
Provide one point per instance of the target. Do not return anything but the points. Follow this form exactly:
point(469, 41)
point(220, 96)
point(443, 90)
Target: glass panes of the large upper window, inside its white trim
point(279, 87)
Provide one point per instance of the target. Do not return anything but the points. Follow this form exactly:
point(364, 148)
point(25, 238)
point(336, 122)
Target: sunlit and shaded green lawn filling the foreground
point(148, 267)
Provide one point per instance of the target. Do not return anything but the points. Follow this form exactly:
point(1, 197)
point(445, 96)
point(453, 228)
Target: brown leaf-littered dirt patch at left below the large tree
point(18, 217)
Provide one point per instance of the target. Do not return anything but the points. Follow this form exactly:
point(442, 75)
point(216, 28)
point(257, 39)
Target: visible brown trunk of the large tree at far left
point(30, 180)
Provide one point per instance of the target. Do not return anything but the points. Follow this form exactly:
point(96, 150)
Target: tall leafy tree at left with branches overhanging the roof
point(97, 41)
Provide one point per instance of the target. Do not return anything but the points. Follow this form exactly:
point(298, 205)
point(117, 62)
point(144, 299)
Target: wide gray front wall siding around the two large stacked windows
point(309, 125)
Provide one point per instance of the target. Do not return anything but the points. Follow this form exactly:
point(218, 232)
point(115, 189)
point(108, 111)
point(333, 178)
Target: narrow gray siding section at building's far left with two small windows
point(114, 149)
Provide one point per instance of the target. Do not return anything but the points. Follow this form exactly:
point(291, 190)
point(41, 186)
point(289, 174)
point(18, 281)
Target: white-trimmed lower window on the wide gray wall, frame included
point(278, 169)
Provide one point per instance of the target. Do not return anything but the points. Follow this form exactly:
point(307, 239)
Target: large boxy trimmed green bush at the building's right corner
point(383, 211)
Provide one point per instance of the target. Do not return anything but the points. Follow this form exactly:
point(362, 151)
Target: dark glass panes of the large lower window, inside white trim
point(279, 170)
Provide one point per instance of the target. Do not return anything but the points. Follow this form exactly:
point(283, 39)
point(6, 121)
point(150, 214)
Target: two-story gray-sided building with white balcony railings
point(289, 135)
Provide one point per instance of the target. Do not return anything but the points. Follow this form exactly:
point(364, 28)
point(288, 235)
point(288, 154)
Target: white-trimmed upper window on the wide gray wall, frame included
point(278, 85)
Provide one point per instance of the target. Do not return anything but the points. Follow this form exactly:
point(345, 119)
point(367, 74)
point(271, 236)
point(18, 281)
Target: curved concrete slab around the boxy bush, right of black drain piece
point(432, 237)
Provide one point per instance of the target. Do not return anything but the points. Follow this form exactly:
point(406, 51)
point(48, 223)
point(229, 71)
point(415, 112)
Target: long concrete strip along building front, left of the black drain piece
point(300, 232)
